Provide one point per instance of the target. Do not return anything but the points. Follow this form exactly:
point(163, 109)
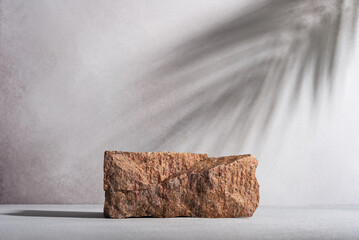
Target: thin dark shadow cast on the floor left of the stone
point(56, 214)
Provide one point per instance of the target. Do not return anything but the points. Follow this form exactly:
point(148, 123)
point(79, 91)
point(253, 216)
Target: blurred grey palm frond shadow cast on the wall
point(233, 76)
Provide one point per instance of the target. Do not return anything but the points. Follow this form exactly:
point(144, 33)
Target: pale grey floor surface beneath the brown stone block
point(87, 222)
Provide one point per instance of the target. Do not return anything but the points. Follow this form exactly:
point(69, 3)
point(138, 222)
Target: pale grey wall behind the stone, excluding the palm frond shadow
point(70, 90)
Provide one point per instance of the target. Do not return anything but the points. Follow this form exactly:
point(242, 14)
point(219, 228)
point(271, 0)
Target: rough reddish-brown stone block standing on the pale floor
point(166, 184)
